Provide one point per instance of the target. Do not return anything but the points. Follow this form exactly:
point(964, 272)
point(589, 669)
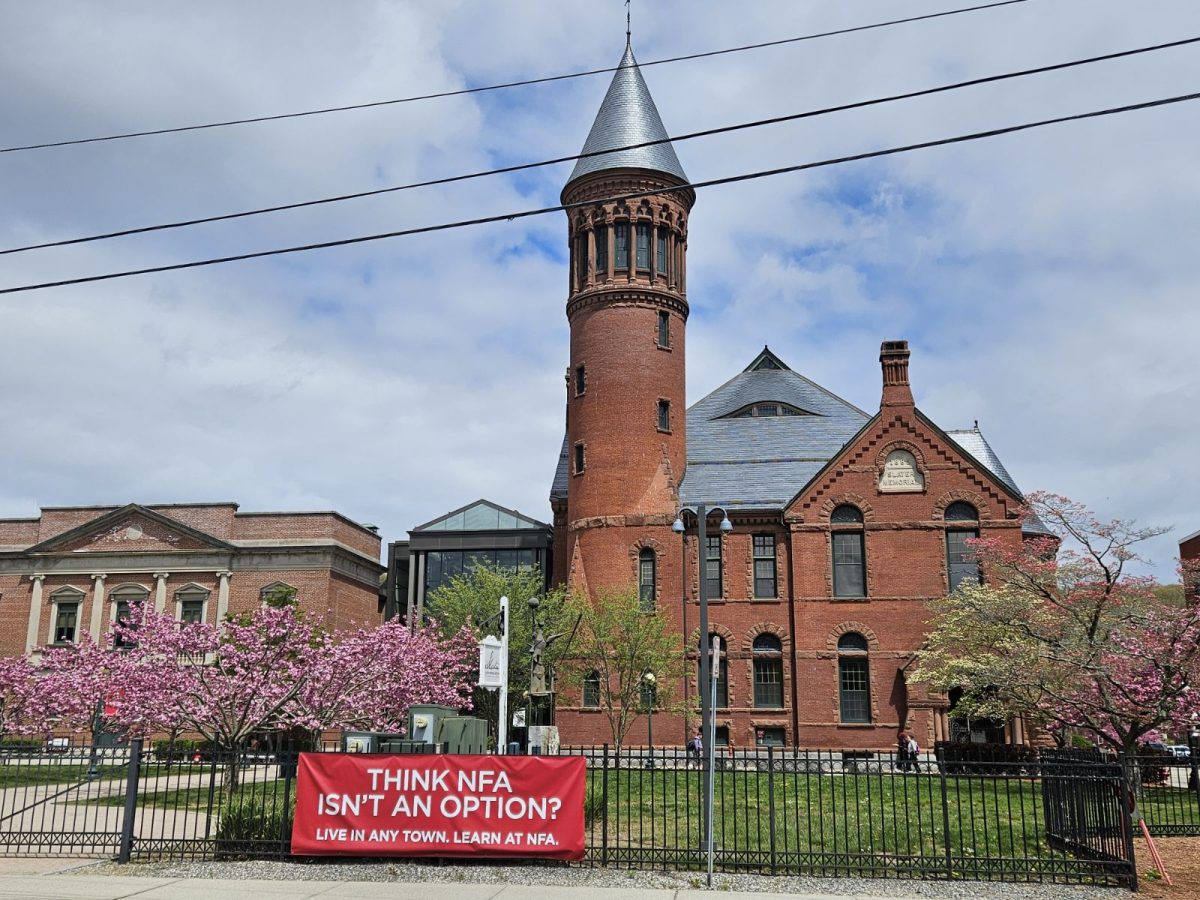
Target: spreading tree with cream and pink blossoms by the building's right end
point(1063, 633)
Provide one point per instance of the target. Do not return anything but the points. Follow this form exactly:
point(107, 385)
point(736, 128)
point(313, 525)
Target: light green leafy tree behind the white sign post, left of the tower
point(473, 598)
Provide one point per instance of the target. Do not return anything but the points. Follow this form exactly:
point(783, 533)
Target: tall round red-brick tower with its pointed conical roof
point(627, 307)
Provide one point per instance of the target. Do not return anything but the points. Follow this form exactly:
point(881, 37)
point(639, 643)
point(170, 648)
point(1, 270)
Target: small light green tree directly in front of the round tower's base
point(622, 643)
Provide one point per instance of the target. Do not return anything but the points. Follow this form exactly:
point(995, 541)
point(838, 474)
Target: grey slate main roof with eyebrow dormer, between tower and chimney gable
point(763, 463)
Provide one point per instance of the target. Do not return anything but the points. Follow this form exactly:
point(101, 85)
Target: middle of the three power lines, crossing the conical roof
point(679, 139)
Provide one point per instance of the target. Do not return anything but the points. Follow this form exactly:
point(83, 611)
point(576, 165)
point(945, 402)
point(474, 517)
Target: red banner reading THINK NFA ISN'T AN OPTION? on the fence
point(368, 805)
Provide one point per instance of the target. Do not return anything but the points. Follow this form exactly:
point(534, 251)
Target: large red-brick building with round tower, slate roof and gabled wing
point(847, 524)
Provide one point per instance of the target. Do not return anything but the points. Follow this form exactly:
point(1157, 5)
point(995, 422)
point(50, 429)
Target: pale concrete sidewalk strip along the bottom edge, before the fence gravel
point(116, 887)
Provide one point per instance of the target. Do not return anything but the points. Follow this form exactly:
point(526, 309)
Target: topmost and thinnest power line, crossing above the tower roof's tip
point(509, 85)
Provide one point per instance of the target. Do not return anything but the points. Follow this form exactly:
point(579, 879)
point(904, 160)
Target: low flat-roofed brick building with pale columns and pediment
point(71, 571)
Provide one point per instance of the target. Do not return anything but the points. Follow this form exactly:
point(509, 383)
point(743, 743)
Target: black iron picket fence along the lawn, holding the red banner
point(1057, 818)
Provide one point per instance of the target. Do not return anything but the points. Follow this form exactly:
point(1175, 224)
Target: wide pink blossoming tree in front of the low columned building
point(271, 671)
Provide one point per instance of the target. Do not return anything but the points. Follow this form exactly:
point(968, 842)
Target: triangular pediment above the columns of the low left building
point(130, 530)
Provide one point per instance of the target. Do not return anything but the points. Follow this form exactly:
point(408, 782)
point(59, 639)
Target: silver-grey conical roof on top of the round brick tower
point(628, 116)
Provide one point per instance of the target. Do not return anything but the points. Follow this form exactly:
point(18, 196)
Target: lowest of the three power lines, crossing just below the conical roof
point(544, 211)
